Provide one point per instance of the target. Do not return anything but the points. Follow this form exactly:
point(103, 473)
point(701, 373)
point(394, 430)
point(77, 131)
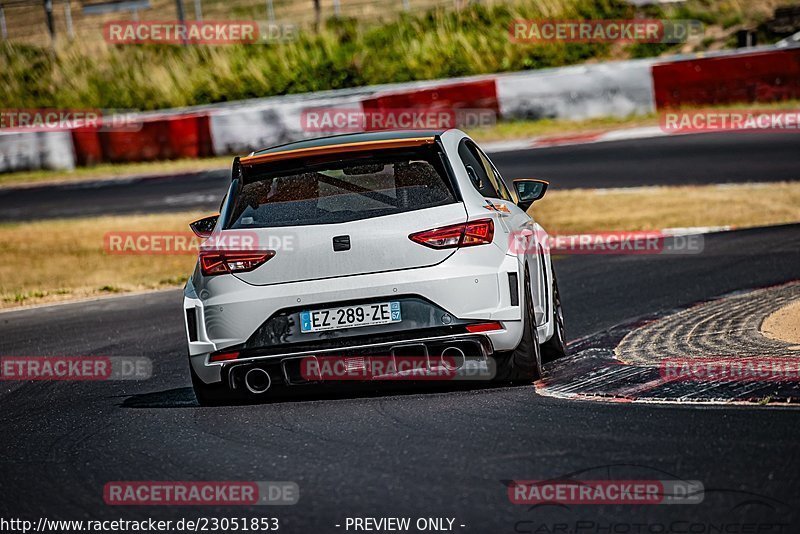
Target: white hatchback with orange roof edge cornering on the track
point(369, 245)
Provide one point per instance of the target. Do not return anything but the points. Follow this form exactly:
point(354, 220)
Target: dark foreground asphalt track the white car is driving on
point(423, 452)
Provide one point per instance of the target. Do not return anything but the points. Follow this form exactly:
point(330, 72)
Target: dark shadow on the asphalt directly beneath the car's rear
point(184, 397)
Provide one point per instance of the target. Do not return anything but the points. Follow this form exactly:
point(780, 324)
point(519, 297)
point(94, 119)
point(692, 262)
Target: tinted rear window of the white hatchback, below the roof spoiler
point(342, 190)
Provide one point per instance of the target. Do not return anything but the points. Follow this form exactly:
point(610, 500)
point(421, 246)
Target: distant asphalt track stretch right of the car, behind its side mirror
point(678, 160)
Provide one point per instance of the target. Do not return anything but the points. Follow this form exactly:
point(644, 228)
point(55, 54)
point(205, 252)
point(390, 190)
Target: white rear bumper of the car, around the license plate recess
point(227, 312)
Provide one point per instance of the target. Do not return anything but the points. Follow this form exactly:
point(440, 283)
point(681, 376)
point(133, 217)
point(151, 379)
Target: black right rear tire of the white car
point(523, 364)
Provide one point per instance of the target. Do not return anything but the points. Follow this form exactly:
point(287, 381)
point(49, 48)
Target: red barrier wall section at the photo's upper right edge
point(758, 77)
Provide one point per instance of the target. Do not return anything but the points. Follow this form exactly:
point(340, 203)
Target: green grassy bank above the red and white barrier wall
point(438, 44)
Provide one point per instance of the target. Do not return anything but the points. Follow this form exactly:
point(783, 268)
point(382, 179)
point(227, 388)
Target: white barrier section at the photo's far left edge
point(36, 150)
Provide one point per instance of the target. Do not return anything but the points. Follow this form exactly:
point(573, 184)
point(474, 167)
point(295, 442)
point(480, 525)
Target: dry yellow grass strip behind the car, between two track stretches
point(49, 261)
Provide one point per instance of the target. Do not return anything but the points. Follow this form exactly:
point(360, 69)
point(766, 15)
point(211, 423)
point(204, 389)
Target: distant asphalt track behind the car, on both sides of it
point(684, 159)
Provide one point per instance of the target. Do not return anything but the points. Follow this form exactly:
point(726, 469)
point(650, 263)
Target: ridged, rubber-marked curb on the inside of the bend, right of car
point(672, 356)
